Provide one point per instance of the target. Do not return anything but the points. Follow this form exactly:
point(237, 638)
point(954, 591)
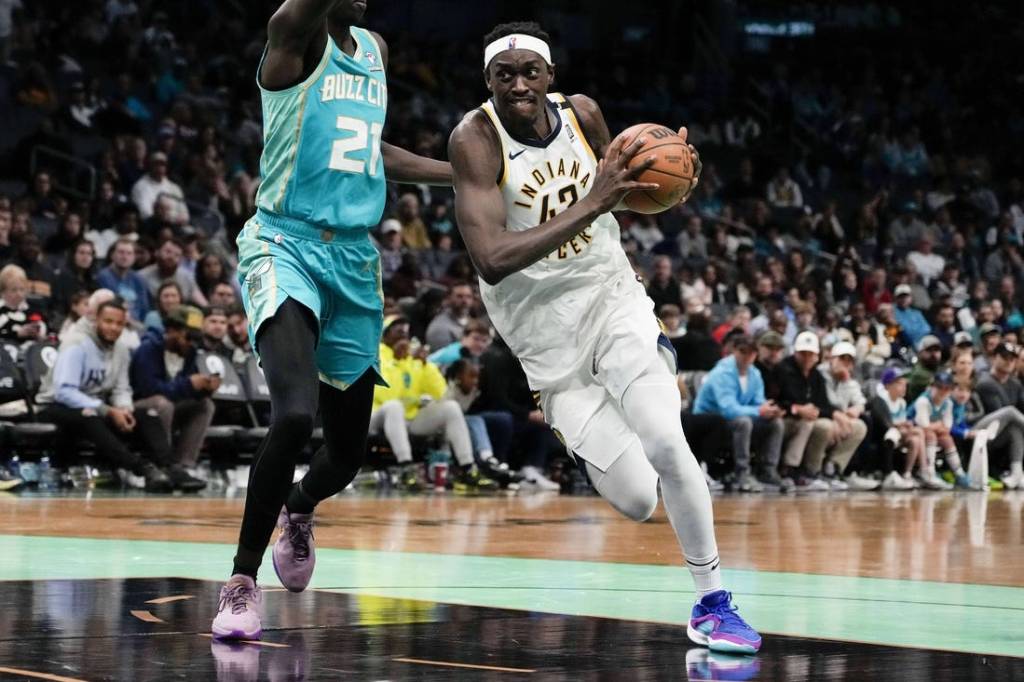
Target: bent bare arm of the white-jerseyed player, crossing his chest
point(481, 212)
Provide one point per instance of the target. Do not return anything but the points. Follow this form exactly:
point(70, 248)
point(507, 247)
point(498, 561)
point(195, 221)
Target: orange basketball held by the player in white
point(673, 168)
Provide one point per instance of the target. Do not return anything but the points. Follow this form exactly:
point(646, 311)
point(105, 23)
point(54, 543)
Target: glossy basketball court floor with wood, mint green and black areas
point(861, 587)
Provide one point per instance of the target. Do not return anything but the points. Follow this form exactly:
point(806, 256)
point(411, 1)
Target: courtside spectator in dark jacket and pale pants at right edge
point(1003, 397)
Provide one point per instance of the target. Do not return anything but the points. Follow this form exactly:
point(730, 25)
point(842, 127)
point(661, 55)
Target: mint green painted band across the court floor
point(975, 619)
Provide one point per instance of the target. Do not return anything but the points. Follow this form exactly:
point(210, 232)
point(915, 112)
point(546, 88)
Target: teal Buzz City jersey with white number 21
point(322, 142)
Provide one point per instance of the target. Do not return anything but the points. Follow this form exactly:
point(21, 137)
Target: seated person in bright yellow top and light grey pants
point(413, 403)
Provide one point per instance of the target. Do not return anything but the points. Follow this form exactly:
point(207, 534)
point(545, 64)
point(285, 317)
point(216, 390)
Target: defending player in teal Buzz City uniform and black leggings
point(311, 278)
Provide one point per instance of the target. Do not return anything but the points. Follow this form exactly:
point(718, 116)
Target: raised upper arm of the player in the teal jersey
point(296, 37)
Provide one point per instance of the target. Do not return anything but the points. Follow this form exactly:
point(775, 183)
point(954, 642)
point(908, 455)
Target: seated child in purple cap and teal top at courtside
point(895, 432)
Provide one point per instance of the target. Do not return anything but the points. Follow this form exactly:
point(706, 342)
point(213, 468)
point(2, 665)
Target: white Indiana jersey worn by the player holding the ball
point(552, 313)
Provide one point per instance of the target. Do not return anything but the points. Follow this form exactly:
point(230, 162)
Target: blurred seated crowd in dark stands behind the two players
point(855, 245)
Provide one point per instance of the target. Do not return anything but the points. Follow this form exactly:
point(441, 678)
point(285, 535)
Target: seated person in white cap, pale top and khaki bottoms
point(848, 402)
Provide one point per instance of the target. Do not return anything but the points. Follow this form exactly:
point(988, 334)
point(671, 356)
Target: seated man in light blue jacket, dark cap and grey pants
point(735, 391)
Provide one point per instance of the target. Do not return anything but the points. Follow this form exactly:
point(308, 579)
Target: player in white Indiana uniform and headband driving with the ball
point(536, 178)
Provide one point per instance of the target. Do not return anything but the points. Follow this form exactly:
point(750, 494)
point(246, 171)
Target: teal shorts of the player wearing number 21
point(336, 275)
